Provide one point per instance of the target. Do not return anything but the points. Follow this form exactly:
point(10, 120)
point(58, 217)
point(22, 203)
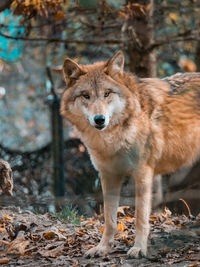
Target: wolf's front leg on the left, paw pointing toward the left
point(111, 192)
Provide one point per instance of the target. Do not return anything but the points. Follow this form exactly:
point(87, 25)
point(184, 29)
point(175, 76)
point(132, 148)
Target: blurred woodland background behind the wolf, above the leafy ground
point(51, 167)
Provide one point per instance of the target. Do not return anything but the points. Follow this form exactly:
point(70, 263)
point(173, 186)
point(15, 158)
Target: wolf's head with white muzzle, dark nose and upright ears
point(94, 93)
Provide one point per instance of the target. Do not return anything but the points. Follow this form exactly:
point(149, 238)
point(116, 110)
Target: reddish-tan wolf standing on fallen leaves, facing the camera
point(138, 127)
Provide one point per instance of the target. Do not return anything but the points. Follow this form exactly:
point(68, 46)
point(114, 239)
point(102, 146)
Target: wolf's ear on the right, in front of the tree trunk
point(115, 64)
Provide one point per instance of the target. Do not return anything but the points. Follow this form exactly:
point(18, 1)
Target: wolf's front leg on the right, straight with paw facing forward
point(143, 187)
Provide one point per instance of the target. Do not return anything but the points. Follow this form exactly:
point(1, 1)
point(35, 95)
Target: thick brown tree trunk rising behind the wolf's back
point(141, 32)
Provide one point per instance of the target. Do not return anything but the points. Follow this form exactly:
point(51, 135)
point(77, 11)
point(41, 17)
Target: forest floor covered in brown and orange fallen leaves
point(28, 239)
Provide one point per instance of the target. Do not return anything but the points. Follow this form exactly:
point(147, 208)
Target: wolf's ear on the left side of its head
point(72, 71)
